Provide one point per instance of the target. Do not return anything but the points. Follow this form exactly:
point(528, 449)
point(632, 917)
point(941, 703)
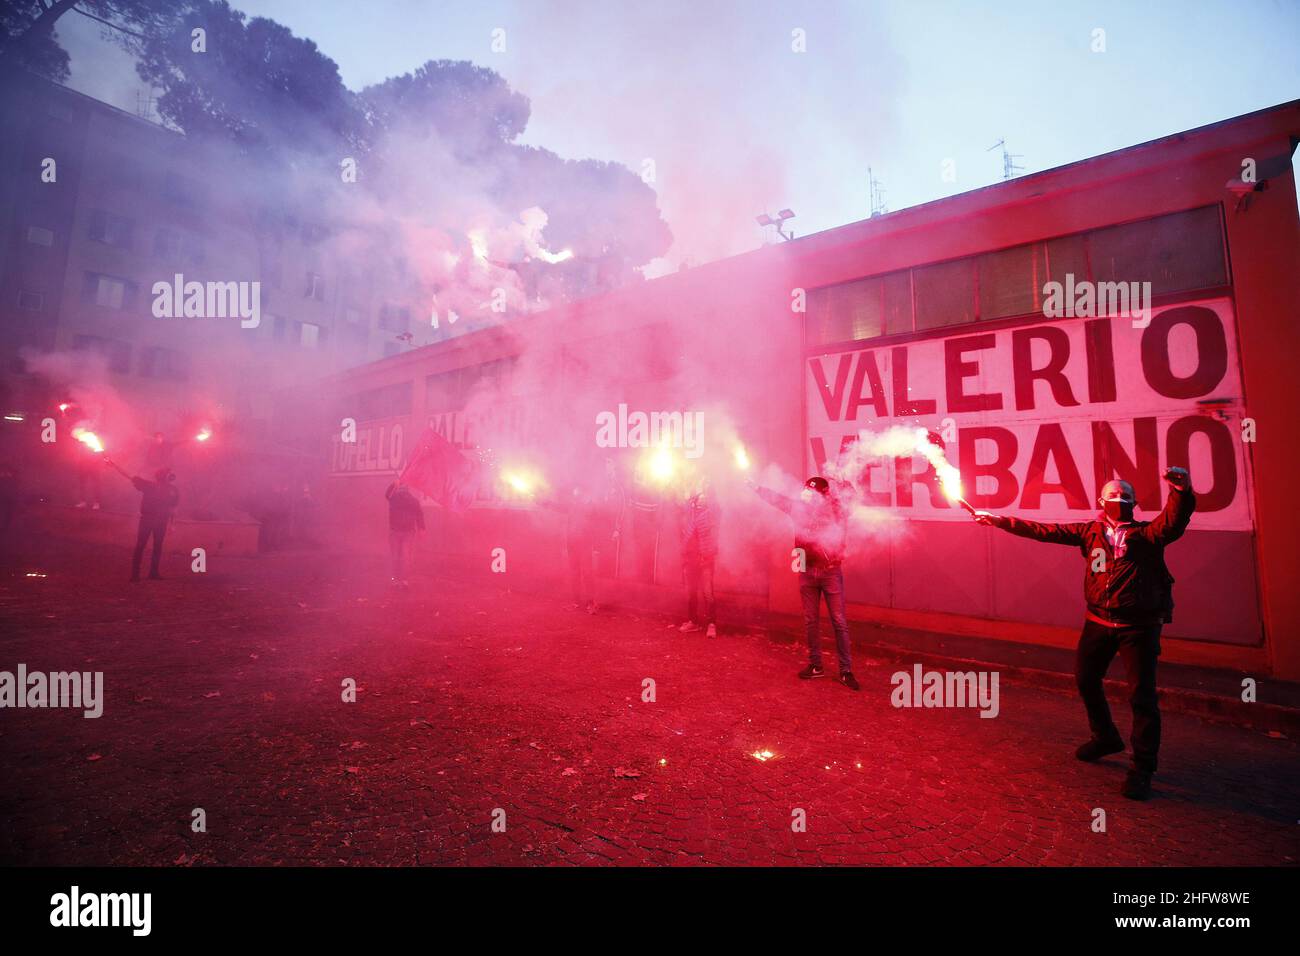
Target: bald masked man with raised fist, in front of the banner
point(1129, 594)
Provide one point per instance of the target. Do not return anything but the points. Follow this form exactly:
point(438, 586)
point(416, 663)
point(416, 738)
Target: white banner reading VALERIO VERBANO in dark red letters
point(1038, 418)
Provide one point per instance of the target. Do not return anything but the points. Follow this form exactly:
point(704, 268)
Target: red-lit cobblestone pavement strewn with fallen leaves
point(223, 691)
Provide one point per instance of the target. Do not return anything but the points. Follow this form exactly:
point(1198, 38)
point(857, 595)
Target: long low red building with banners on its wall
point(946, 317)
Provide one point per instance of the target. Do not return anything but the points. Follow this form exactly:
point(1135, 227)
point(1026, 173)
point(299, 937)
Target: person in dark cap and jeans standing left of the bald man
point(821, 535)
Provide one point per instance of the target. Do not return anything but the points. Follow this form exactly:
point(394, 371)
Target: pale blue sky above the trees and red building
point(716, 101)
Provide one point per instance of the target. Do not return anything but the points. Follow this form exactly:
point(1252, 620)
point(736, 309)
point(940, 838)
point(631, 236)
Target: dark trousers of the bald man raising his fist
point(1139, 648)
